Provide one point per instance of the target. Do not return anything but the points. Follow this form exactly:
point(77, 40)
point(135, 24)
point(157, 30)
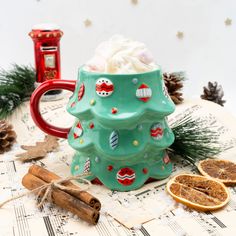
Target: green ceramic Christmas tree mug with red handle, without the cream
point(121, 133)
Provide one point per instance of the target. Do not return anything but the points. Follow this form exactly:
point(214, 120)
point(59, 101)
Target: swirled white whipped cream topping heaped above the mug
point(120, 55)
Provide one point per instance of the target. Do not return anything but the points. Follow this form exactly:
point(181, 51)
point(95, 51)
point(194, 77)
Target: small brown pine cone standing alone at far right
point(213, 93)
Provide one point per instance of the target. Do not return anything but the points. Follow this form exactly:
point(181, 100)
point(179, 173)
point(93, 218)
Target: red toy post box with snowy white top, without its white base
point(47, 52)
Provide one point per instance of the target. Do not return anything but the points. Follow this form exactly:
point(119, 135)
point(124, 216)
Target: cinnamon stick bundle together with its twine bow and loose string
point(49, 186)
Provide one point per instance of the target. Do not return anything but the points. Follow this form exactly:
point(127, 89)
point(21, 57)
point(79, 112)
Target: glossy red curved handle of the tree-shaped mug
point(34, 106)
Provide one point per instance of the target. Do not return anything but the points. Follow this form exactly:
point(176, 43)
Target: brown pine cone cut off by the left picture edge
point(7, 136)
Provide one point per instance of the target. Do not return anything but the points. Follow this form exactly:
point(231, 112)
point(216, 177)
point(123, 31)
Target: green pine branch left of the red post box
point(16, 86)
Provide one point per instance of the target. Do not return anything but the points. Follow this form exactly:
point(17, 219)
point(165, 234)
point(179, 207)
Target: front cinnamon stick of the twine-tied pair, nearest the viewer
point(64, 200)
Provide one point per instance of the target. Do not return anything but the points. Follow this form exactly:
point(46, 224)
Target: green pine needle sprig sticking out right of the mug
point(194, 140)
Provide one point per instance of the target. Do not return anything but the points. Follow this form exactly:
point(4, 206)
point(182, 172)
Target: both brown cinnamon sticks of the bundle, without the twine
point(80, 203)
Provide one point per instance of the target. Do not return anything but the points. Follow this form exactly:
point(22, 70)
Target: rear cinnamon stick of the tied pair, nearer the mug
point(49, 176)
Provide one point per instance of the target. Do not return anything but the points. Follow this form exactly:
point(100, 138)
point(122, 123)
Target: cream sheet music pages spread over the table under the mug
point(147, 211)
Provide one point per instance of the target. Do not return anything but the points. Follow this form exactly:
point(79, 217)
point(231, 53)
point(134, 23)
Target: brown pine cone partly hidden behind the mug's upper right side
point(174, 83)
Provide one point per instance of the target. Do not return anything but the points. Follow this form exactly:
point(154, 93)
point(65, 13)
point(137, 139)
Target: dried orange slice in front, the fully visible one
point(199, 192)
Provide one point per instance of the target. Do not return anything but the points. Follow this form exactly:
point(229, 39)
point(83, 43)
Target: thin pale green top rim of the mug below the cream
point(83, 70)
